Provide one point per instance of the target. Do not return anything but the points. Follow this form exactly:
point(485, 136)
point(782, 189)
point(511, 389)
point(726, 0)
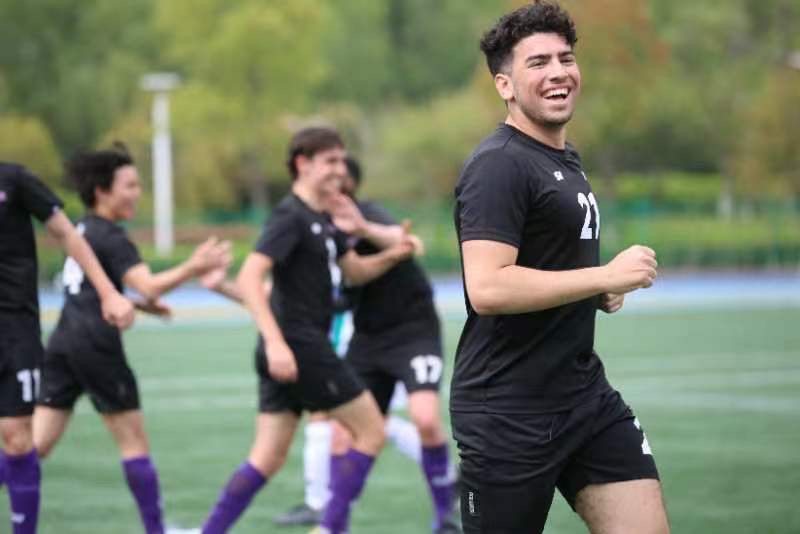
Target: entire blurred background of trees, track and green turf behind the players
point(688, 126)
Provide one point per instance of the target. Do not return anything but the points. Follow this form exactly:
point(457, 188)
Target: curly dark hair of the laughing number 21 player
point(541, 16)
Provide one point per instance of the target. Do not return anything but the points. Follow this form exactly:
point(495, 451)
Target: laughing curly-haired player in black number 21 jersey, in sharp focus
point(531, 407)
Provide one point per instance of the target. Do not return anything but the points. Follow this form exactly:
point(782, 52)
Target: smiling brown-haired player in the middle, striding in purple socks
point(297, 367)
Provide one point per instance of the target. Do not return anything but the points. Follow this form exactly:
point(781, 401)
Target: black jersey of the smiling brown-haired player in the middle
point(305, 247)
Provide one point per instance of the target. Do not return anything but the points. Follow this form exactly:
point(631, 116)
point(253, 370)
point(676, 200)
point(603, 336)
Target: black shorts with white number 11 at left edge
point(21, 355)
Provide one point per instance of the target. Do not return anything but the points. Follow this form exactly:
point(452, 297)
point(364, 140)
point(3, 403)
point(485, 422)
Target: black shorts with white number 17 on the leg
point(411, 354)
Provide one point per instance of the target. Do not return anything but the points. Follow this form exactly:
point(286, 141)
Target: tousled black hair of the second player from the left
point(91, 169)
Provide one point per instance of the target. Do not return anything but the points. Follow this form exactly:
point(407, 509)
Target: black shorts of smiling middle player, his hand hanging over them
point(324, 381)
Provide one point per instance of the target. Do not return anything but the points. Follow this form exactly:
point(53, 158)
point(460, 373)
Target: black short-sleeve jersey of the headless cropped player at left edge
point(21, 195)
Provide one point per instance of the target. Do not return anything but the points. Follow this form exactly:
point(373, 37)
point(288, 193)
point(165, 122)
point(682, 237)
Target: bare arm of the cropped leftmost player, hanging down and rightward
point(116, 309)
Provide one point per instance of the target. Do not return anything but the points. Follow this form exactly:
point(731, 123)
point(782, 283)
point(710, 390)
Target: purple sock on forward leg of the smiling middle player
point(348, 474)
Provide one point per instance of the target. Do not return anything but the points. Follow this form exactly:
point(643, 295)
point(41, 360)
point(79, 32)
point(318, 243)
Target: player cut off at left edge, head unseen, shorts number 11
point(23, 195)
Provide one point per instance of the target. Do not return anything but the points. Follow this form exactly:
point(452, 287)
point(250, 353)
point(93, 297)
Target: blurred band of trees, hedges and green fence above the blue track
point(688, 123)
